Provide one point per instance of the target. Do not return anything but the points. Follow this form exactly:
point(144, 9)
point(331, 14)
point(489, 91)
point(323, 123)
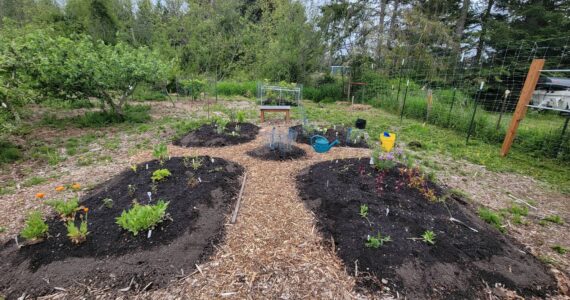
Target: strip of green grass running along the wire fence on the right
point(436, 140)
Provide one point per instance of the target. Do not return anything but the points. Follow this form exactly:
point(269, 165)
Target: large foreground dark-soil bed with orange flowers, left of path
point(112, 258)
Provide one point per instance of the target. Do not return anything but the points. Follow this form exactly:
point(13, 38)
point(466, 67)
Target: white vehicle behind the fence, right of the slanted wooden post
point(553, 93)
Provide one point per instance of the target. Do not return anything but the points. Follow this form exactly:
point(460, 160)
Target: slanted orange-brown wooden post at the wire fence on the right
point(524, 100)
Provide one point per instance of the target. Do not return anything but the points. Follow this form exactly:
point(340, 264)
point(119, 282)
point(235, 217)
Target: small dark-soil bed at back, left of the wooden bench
point(207, 136)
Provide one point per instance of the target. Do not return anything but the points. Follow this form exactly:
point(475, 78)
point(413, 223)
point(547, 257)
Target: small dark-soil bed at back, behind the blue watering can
point(332, 133)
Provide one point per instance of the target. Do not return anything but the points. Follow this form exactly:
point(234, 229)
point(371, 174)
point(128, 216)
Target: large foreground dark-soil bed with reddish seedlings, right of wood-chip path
point(461, 263)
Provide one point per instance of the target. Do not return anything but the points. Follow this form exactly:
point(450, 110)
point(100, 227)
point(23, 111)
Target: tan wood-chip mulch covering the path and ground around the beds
point(274, 250)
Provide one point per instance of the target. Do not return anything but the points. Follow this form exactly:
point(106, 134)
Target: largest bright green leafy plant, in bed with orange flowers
point(142, 217)
